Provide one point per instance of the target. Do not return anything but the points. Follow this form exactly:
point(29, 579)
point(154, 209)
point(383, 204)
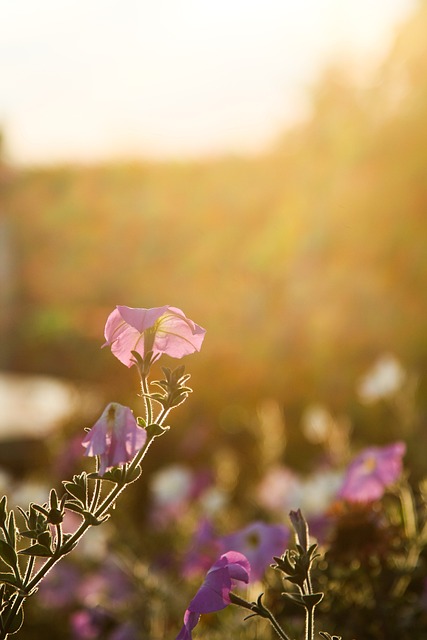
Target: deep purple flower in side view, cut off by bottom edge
point(214, 594)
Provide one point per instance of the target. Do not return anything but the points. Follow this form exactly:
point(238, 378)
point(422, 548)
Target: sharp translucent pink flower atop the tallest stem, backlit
point(160, 330)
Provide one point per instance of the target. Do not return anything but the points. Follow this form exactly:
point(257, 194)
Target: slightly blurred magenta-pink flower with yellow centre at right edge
point(371, 472)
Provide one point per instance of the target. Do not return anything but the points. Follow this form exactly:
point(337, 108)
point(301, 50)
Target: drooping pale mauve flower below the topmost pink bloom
point(115, 437)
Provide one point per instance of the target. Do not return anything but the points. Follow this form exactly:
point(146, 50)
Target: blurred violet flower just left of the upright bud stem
point(259, 542)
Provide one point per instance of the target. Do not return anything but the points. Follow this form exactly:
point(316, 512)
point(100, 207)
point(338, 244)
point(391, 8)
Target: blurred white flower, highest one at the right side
point(383, 380)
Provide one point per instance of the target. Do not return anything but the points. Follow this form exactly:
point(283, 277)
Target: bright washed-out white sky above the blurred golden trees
point(90, 80)
